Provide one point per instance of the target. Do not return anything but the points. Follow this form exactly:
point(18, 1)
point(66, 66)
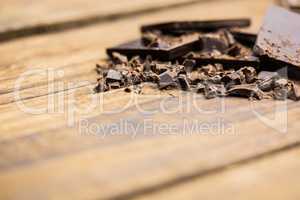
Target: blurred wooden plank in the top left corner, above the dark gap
point(19, 18)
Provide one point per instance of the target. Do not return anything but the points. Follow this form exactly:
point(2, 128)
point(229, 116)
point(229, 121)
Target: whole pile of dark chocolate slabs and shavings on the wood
point(214, 58)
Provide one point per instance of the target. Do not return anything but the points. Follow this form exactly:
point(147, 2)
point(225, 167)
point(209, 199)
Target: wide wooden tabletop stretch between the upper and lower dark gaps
point(44, 157)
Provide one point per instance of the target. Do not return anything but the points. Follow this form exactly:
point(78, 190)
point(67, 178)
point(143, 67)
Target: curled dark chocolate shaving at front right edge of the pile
point(246, 90)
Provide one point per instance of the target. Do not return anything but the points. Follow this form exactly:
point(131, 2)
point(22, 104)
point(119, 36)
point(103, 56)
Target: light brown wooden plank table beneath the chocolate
point(47, 71)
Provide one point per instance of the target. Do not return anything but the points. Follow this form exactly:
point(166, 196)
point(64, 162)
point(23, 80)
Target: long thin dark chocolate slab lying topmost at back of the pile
point(194, 26)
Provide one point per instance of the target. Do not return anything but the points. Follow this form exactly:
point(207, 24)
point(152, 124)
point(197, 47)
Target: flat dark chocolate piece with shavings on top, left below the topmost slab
point(169, 48)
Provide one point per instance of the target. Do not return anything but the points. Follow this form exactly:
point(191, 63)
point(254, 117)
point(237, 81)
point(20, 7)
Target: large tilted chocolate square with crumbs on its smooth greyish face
point(279, 38)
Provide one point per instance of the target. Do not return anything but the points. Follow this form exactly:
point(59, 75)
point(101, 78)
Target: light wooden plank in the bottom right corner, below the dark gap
point(275, 177)
